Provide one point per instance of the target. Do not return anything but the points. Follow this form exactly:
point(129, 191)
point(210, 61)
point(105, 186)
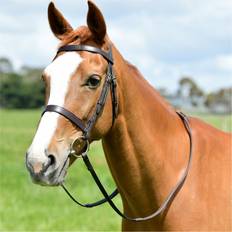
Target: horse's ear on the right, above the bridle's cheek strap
point(96, 22)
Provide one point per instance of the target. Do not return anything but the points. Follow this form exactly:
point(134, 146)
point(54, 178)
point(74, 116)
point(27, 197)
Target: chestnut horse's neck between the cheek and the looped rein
point(141, 149)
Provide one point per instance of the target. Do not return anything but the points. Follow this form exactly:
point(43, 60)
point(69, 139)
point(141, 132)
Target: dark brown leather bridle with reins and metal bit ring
point(110, 85)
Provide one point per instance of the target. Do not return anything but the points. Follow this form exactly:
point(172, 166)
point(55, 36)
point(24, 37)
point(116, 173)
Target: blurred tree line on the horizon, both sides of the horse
point(24, 89)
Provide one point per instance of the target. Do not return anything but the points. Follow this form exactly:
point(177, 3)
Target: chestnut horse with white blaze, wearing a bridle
point(145, 141)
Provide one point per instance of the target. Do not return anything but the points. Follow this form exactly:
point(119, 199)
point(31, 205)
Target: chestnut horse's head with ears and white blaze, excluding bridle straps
point(74, 81)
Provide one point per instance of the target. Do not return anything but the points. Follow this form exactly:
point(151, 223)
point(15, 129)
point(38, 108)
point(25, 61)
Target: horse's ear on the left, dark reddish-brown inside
point(58, 24)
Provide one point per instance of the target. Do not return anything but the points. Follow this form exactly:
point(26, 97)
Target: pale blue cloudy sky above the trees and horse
point(165, 39)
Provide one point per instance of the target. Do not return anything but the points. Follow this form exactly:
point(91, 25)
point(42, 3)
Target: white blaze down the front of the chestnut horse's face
point(59, 72)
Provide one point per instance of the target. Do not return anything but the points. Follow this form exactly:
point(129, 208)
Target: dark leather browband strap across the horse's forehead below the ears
point(70, 48)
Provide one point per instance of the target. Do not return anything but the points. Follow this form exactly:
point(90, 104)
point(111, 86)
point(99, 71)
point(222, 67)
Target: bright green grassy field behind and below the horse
point(28, 207)
